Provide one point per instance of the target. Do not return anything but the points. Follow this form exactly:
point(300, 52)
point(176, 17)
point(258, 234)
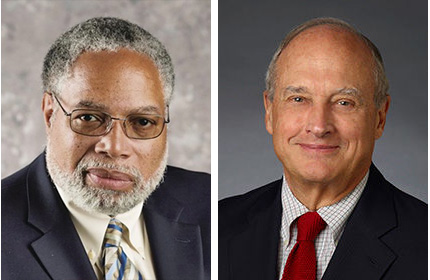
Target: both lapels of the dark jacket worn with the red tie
point(360, 253)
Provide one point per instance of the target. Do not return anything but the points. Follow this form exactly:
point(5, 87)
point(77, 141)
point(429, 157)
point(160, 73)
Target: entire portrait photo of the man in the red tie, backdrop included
point(322, 140)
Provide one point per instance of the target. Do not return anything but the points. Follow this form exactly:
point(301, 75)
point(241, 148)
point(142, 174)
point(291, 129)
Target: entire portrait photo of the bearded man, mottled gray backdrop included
point(106, 139)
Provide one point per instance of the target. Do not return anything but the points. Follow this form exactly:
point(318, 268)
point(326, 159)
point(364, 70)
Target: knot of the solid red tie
point(309, 226)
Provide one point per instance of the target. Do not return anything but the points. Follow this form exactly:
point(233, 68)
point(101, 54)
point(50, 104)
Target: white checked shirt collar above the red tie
point(334, 215)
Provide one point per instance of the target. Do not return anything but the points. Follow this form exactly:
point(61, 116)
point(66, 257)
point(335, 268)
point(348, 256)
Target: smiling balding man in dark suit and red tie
point(333, 215)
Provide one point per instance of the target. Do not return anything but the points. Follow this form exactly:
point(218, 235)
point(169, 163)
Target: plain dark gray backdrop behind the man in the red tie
point(249, 33)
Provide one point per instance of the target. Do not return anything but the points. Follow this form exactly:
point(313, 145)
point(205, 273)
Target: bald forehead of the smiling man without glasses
point(324, 53)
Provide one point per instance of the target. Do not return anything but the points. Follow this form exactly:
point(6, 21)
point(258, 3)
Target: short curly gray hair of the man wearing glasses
point(104, 33)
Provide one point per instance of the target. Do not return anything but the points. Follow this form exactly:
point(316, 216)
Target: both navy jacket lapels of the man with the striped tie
point(176, 246)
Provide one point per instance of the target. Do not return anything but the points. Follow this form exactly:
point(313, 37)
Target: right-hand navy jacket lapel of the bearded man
point(176, 247)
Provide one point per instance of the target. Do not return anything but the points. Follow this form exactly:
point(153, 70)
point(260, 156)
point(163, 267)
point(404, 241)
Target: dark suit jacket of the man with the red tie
point(385, 237)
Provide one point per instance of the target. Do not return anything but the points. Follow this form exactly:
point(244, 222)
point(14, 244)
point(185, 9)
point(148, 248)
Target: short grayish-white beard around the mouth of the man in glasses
point(125, 188)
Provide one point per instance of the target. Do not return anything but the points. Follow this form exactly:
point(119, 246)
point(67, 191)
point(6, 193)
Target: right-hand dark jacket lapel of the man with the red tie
point(361, 253)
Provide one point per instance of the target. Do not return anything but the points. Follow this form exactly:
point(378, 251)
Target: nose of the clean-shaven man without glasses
point(319, 120)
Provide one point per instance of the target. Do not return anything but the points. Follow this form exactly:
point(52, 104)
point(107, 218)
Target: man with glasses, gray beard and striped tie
point(100, 202)
